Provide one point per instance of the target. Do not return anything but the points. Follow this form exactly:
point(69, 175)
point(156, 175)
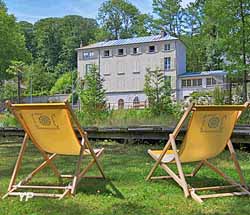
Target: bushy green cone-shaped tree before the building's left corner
point(92, 97)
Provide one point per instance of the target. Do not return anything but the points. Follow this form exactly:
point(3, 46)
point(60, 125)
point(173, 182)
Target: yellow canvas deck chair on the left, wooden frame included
point(50, 129)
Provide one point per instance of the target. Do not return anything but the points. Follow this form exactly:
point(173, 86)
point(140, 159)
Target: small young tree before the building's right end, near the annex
point(158, 90)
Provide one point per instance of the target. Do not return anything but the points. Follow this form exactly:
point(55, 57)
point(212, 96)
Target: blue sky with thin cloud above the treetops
point(32, 10)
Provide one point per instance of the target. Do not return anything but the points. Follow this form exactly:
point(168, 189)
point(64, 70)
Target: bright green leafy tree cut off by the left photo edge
point(12, 43)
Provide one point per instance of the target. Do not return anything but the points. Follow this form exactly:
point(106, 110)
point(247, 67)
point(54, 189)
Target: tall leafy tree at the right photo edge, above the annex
point(230, 22)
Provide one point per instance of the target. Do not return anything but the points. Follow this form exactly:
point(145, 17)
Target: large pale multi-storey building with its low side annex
point(123, 64)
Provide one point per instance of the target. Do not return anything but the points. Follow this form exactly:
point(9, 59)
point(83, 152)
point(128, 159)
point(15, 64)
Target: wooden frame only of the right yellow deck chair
point(180, 178)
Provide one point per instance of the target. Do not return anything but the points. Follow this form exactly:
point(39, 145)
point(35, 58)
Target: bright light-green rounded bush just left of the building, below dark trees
point(64, 83)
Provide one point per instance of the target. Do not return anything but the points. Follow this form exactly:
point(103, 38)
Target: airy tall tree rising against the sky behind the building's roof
point(121, 19)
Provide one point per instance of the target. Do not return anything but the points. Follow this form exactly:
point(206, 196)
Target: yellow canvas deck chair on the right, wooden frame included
point(208, 133)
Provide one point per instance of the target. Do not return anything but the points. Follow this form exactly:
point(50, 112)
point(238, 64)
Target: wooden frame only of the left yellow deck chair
point(48, 161)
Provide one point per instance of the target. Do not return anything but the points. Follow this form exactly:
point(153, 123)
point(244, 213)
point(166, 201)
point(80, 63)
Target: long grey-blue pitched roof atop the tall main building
point(128, 41)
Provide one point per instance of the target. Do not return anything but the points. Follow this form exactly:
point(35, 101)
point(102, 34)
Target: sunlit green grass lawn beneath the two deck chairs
point(125, 191)
